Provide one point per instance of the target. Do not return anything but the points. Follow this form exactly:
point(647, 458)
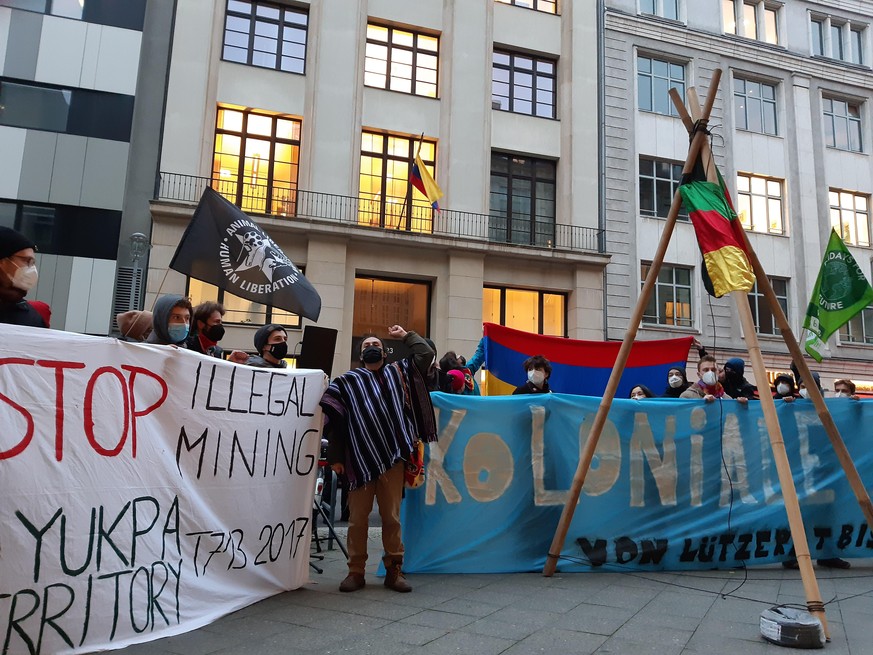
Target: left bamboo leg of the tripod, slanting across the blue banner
point(697, 142)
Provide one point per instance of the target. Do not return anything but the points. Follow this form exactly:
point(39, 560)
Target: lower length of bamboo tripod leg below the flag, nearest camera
point(783, 467)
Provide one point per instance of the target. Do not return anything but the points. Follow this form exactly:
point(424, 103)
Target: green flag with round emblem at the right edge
point(841, 291)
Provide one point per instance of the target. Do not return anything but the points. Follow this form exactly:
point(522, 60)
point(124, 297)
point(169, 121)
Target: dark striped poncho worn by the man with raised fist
point(378, 416)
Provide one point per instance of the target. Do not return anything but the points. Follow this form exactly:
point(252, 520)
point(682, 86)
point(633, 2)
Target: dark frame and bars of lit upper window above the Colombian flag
point(394, 61)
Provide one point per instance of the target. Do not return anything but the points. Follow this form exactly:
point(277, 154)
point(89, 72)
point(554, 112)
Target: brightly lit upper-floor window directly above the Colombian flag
point(400, 60)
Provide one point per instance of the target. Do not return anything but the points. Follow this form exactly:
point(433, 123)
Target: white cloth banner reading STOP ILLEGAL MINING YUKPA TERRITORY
point(147, 490)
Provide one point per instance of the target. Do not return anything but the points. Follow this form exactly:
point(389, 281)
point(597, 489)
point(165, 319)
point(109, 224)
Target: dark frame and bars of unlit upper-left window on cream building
point(282, 25)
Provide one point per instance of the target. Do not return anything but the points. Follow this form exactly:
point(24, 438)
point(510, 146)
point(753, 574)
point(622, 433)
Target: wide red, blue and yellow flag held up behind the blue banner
point(578, 367)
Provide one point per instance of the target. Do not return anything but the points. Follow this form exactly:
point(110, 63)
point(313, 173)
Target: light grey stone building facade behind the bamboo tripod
point(791, 132)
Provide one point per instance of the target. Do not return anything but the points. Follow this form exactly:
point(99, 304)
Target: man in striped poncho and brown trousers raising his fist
point(376, 414)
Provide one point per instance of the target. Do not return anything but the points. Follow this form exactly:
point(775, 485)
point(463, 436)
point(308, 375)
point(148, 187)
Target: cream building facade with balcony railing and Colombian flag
point(308, 116)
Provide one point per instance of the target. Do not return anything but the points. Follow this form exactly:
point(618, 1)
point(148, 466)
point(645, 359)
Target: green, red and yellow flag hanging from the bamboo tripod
point(719, 235)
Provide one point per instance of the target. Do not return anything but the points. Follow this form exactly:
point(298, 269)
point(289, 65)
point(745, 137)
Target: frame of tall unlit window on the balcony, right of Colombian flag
point(534, 236)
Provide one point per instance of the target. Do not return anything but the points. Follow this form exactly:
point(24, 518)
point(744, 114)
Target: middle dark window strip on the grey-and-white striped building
point(70, 111)
